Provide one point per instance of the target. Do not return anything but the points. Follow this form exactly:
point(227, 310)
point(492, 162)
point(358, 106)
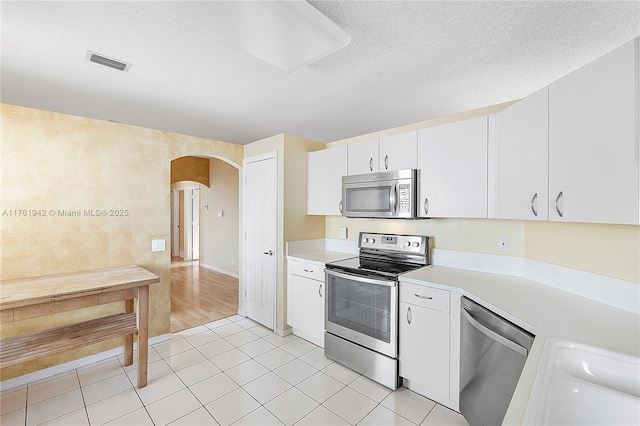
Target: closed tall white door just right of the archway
point(260, 195)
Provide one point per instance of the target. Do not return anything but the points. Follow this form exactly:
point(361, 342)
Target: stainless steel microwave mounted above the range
point(380, 195)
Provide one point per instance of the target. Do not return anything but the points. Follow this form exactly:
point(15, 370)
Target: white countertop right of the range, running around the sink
point(543, 310)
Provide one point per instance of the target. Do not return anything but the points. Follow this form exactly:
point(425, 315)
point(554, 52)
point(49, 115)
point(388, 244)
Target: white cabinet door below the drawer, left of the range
point(305, 308)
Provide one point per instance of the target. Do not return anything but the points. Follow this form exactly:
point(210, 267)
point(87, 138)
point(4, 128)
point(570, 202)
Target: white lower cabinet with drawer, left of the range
point(305, 300)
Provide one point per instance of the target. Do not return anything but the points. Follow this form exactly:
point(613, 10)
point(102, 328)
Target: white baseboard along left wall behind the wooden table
point(72, 365)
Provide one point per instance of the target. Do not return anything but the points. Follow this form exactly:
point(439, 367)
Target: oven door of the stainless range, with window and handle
point(363, 310)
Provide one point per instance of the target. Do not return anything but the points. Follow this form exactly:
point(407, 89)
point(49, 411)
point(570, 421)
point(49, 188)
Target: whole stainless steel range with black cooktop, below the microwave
point(361, 303)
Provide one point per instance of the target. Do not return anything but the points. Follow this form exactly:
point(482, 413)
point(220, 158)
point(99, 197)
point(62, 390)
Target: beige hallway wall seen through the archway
point(219, 236)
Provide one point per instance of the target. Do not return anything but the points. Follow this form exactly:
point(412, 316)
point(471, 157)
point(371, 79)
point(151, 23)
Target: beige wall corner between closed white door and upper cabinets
point(293, 222)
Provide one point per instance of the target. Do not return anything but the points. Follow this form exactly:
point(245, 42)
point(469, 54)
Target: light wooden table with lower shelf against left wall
point(34, 297)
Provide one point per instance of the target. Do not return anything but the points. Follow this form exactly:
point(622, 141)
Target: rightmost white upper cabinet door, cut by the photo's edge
point(593, 141)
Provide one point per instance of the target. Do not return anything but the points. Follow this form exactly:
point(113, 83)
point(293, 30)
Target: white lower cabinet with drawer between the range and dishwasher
point(429, 342)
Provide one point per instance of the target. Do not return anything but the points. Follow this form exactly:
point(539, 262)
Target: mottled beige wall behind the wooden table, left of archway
point(57, 162)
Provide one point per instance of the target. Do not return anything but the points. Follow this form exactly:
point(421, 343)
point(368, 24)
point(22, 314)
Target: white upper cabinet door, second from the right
point(519, 160)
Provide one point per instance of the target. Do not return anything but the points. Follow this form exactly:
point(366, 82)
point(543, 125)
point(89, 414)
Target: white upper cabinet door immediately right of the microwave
point(452, 163)
